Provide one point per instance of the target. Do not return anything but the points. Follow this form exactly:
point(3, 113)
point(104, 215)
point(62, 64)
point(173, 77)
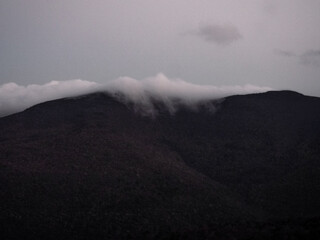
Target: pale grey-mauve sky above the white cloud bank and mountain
point(274, 43)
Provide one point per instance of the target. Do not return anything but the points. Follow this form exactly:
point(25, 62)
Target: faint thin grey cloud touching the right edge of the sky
point(308, 58)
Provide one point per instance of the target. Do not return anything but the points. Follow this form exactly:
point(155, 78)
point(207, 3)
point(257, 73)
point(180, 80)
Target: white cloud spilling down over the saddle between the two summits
point(172, 92)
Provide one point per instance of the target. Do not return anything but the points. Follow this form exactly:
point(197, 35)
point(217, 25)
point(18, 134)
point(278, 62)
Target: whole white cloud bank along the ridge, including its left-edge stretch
point(14, 97)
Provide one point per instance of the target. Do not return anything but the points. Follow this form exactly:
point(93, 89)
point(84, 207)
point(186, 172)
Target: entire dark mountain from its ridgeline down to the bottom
point(93, 168)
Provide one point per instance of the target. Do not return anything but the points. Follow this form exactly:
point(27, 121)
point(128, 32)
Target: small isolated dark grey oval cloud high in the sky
point(219, 34)
